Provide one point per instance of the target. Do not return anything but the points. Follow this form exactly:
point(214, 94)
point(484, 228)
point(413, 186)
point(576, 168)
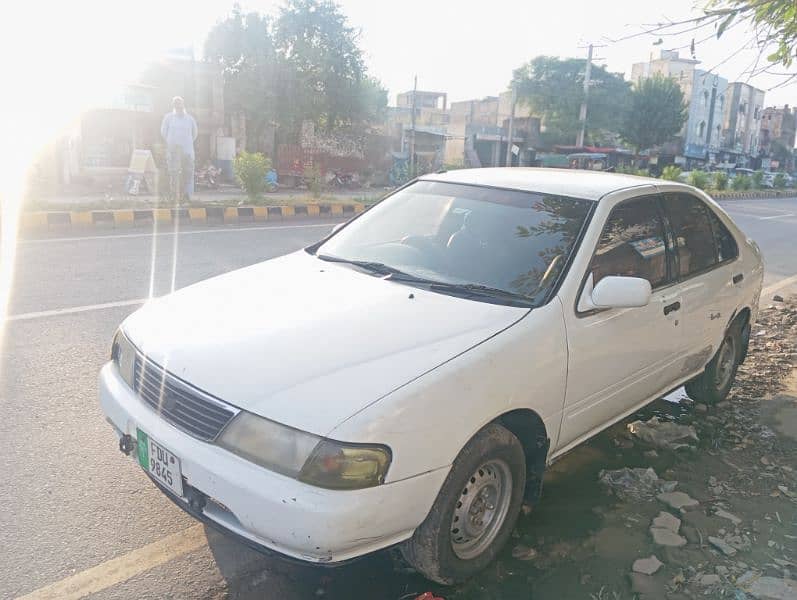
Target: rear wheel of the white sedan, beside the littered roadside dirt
point(714, 383)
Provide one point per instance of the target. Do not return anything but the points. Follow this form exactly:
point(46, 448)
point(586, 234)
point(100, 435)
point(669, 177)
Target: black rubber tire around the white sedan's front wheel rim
point(431, 548)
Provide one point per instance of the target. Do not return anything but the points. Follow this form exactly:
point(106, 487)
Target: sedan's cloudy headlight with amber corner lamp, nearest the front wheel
point(304, 456)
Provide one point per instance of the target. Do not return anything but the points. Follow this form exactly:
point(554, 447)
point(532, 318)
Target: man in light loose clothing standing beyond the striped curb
point(179, 131)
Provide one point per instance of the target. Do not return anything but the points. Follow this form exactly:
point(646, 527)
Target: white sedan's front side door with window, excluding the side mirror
point(617, 358)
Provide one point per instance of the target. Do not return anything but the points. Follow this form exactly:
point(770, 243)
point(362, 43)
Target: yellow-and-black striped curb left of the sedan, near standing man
point(209, 215)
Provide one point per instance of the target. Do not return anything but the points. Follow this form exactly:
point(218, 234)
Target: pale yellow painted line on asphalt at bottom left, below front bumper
point(122, 568)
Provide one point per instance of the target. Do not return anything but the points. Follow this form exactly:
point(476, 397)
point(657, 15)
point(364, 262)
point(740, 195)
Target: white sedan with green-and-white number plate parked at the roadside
point(406, 380)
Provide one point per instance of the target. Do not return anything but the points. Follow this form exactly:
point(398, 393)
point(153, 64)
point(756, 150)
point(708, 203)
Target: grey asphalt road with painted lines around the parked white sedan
point(72, 506)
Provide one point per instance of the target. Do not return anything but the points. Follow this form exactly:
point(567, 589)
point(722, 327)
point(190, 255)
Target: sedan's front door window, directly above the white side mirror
point(632, 243)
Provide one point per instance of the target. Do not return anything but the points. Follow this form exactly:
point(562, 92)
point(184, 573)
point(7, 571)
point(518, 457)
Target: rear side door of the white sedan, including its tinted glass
point(707, 275)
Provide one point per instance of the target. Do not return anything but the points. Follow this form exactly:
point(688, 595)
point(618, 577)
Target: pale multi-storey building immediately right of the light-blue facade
point(742, 124)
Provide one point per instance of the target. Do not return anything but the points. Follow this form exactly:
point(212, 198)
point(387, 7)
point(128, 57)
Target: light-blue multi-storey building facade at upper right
point(703, 135)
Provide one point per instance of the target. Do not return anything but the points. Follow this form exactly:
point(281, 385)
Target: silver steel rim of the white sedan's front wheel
point(481, 509)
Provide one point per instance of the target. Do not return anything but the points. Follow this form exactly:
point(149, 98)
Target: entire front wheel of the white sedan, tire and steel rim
point(475, 511)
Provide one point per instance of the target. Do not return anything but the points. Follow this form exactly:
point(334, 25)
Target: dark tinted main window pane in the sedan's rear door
point(694, 236)
